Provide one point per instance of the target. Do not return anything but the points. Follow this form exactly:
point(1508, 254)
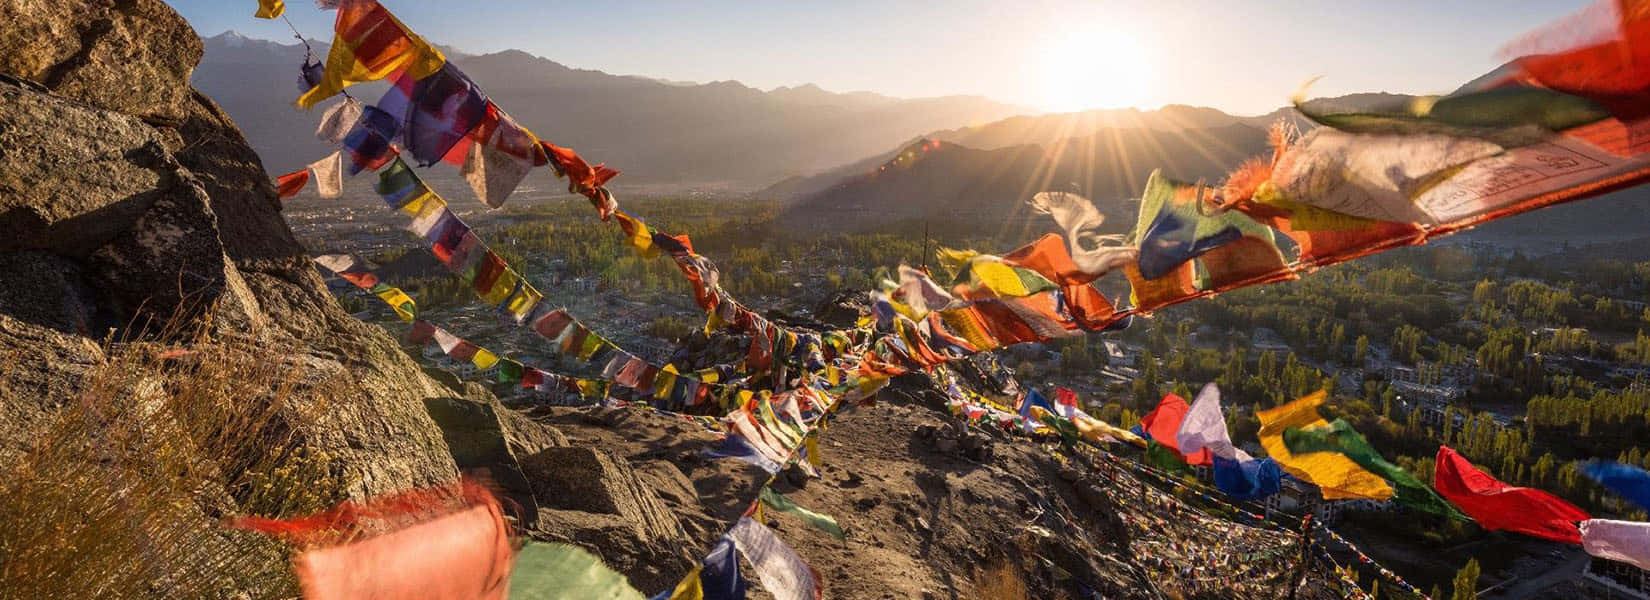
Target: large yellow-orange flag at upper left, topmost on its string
point(370, 45)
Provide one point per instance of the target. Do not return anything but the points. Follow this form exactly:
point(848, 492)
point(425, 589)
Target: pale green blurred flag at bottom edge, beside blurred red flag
point(565, 571)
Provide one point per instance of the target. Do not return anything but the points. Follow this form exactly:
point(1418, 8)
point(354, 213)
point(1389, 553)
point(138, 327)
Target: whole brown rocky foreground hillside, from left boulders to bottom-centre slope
point(138, 217)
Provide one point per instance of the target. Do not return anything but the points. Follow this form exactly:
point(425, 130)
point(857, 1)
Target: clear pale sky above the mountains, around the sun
point(1054, 55)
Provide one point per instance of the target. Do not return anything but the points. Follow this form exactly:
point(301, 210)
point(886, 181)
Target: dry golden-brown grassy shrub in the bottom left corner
point(125, 494)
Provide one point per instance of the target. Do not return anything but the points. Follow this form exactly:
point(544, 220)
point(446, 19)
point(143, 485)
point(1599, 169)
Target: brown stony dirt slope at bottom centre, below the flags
point(926, 518)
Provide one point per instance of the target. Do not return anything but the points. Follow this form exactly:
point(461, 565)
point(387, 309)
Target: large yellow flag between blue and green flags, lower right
point(1337, 476)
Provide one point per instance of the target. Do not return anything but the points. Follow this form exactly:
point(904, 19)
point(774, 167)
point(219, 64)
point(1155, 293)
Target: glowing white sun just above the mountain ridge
point(1100, 70)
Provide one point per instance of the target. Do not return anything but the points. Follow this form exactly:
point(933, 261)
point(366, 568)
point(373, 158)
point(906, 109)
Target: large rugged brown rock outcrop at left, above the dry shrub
point(134, 209)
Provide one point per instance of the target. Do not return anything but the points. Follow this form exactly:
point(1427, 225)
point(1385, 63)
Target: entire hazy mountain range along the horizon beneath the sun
point(841, 161)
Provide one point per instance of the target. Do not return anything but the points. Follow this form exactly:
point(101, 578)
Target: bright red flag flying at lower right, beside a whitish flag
point(1497, 505)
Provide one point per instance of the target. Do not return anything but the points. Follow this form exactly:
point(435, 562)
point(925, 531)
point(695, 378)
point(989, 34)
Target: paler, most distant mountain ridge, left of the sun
point(682, 134)
